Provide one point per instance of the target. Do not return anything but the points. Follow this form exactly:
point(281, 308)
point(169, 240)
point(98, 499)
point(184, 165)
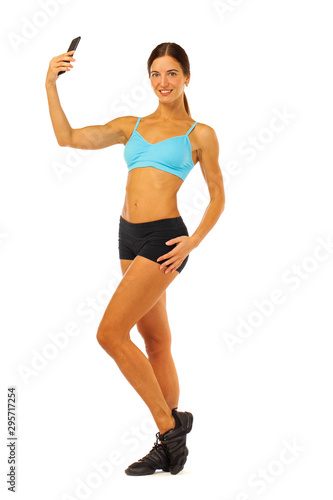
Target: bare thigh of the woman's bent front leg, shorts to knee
point(142, 285)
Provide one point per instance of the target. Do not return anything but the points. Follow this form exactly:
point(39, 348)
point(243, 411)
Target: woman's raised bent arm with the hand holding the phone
point(91, 137)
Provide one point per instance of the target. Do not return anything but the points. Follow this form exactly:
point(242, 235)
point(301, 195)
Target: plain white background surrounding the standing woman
point(251, 390)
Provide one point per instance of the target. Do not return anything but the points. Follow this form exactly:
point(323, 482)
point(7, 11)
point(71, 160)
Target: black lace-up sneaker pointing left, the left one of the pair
point(155, 459)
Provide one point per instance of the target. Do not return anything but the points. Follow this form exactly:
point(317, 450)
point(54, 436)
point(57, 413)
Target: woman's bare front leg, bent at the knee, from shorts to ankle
point(138, 291)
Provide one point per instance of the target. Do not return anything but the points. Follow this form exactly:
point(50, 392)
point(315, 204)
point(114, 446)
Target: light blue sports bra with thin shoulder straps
point(173, 155)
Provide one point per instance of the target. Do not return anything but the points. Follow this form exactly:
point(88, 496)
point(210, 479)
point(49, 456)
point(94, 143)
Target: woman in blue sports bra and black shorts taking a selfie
point(159, 157)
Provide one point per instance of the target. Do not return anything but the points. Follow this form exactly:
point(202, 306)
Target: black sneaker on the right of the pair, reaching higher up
point(174, 440)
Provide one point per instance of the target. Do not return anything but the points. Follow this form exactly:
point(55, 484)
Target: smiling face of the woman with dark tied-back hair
point(166, 74)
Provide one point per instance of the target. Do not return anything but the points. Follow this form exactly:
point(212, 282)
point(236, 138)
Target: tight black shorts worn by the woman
point(148, 238)
